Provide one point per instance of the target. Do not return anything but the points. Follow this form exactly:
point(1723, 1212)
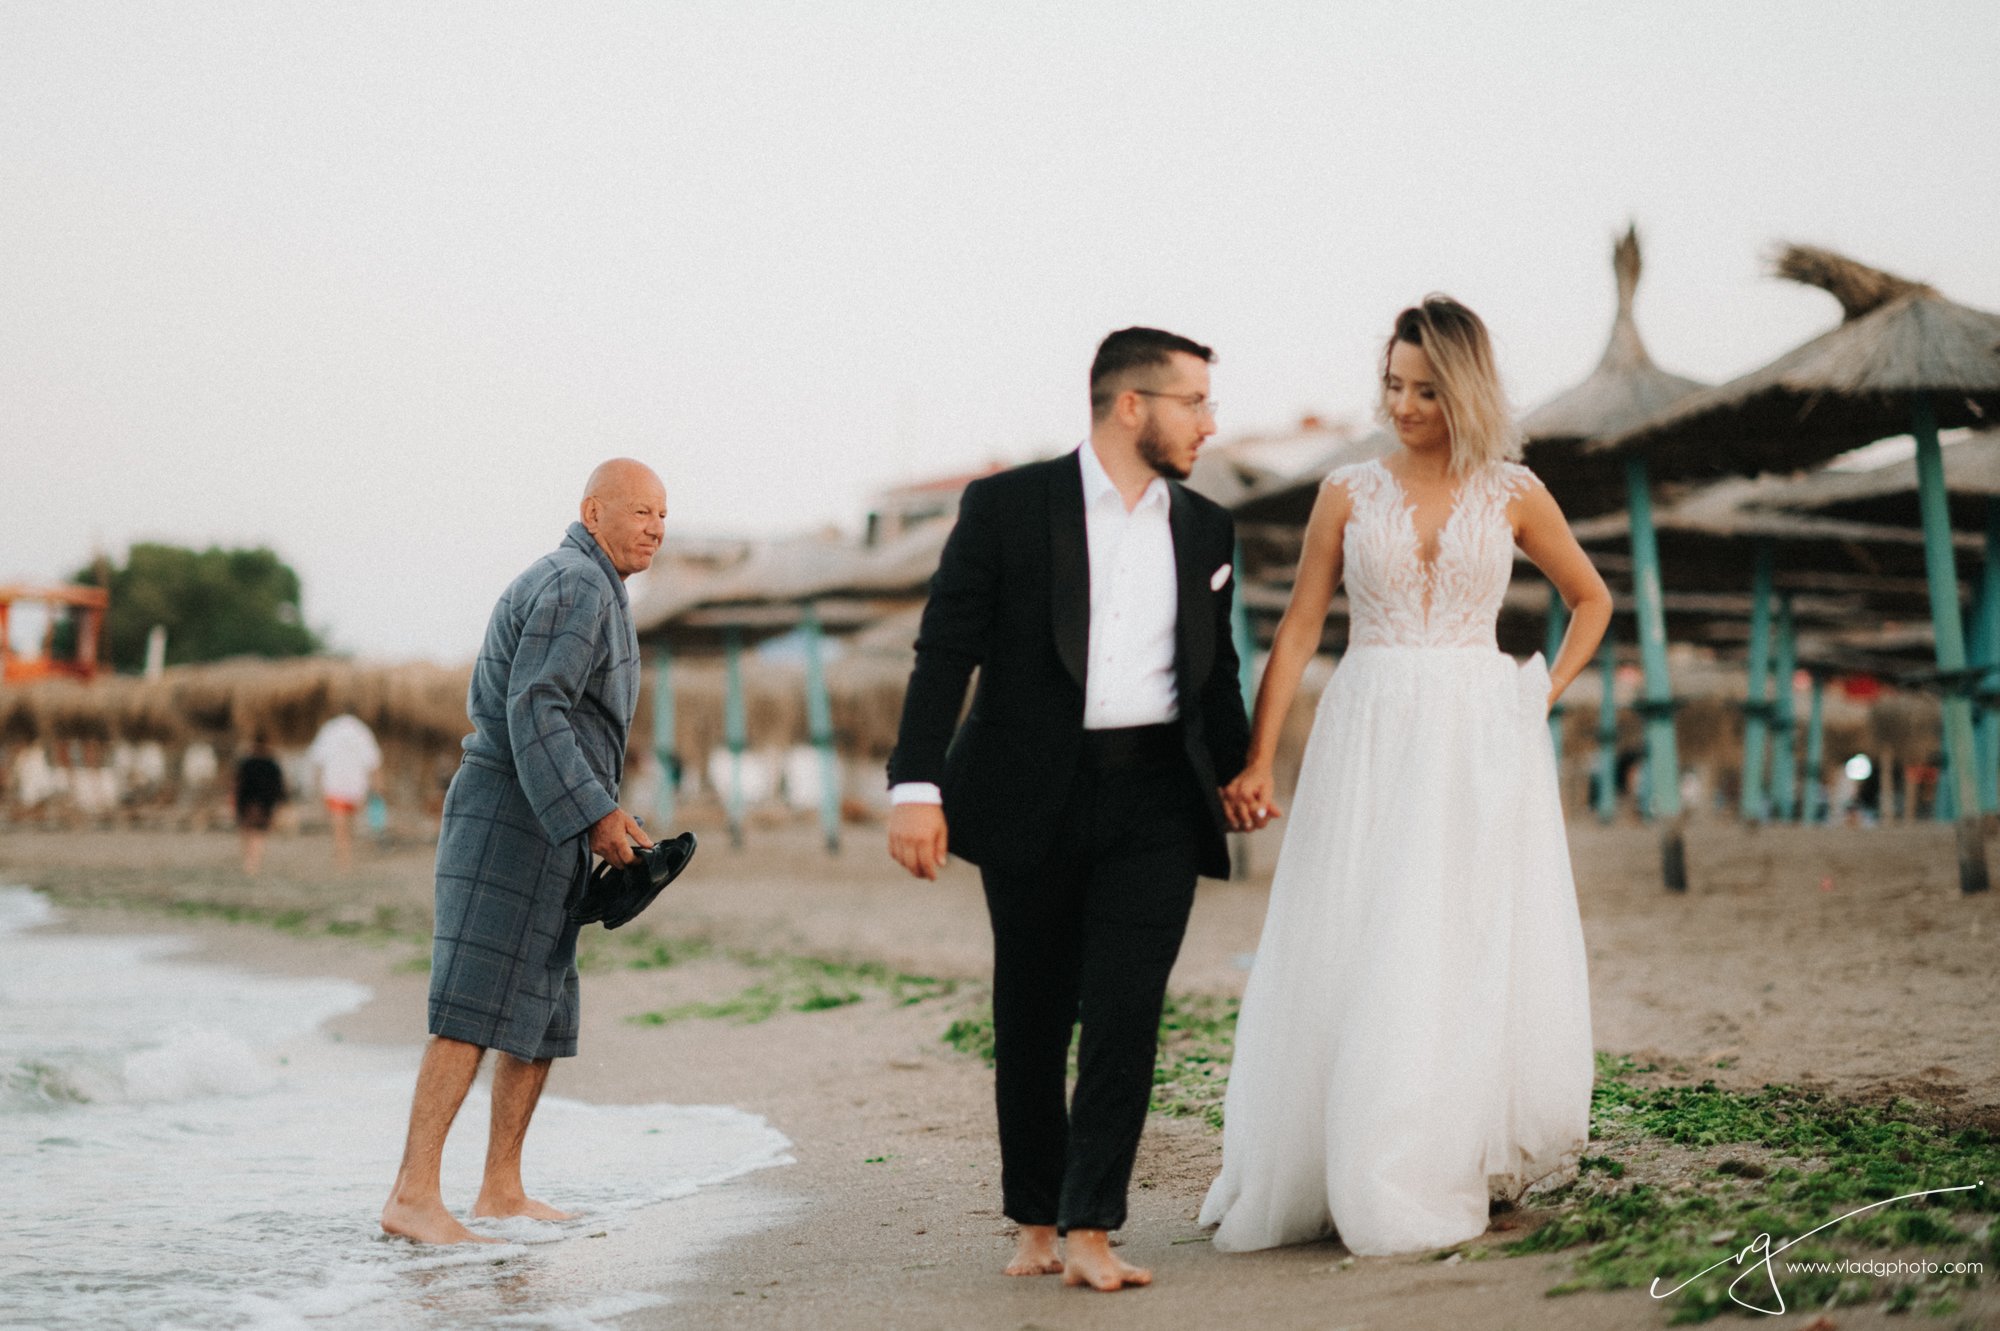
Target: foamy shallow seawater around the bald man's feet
point(183, 1148)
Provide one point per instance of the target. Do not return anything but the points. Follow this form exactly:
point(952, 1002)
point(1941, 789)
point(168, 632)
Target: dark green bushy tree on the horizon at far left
point(213, 603)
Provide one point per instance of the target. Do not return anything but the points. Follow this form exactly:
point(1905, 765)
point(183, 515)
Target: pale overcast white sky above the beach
point(379, 283)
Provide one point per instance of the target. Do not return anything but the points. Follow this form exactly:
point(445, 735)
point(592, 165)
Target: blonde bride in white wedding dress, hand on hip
point(1419, 1016)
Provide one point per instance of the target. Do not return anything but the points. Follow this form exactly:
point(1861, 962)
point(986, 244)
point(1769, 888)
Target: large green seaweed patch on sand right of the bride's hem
point(1775, 1162)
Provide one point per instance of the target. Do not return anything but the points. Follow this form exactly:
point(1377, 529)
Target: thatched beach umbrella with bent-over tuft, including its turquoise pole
point(1903, 361)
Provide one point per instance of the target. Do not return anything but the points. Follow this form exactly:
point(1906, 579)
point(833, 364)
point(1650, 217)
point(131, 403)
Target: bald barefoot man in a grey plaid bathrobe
point(535, 796)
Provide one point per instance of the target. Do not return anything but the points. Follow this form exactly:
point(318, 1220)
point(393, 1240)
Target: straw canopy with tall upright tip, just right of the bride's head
point(1627, 391)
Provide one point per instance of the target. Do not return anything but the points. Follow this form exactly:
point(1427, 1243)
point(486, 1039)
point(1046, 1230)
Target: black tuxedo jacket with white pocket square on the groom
point(1013, 599)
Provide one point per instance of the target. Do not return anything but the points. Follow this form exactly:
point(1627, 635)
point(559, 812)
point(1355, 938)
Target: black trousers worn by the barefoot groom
point(1091, 936)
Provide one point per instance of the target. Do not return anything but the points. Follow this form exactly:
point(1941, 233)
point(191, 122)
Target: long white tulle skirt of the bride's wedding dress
point(1419, 1016)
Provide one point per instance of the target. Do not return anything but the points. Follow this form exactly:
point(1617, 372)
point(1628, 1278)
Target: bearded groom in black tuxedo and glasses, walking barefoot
point(1093, 595)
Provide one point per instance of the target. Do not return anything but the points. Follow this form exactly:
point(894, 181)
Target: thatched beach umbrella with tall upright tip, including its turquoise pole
point(1623, 393)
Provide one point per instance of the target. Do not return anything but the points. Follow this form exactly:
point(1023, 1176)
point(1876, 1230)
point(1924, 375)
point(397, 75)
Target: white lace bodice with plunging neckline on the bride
point(1399, 601)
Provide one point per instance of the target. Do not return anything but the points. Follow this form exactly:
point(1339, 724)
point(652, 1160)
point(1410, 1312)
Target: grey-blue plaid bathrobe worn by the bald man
point(551, 706)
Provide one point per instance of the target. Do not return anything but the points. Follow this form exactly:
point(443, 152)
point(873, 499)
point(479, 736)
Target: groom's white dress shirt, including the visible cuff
point(1135, 607)
